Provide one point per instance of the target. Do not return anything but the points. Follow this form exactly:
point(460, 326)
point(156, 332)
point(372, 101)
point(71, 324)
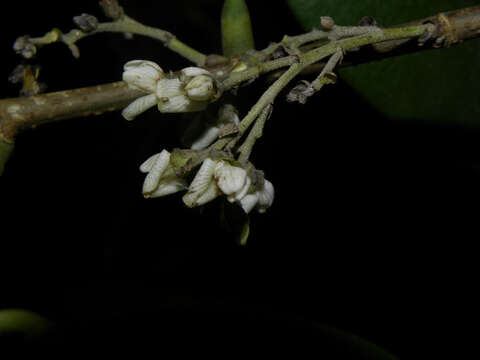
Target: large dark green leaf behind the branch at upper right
point(439, 85)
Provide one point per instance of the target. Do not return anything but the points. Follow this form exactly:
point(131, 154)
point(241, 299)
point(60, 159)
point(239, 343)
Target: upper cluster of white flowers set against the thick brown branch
point(190, 90)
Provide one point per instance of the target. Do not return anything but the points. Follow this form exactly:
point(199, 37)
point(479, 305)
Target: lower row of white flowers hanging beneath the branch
point(213, 179)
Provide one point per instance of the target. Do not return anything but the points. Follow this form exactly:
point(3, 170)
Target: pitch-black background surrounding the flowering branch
point(372, 229)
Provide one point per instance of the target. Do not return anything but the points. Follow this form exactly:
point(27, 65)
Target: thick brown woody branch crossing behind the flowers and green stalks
point(464, 24)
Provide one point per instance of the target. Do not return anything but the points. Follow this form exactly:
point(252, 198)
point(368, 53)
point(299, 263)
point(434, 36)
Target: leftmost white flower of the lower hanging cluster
point(161, 179)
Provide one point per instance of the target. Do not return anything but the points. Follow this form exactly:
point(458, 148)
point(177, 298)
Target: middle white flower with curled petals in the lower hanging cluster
point(214, 178)
